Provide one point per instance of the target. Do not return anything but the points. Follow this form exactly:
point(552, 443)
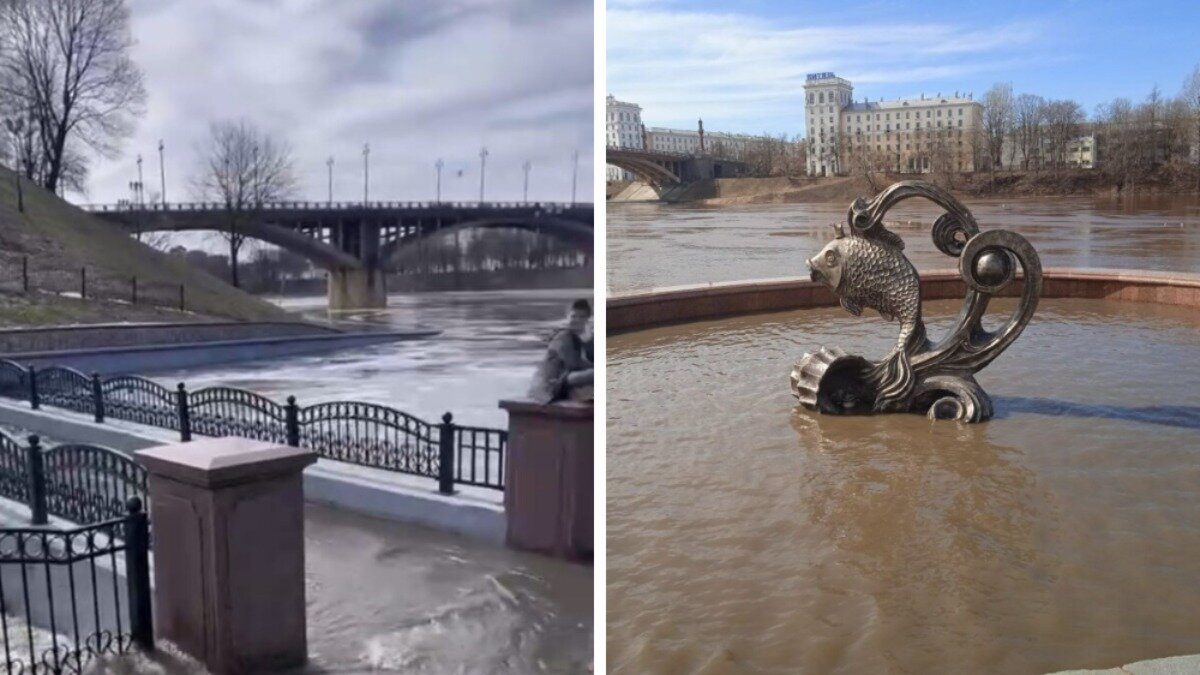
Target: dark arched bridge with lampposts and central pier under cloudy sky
point(353, 241)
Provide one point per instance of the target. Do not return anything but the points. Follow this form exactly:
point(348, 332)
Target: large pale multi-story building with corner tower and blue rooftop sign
point(910, 135)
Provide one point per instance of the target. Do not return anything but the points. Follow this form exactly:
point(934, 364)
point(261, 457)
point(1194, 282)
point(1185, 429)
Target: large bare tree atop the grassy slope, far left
point(65, 64)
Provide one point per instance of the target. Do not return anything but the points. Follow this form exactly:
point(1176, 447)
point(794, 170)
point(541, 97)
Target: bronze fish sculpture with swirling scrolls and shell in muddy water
point(867, 268)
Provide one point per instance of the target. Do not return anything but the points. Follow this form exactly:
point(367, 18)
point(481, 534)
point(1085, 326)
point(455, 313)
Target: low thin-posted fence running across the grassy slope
point(17, 276)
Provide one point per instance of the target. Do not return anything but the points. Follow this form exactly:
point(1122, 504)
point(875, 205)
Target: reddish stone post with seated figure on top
point(549, 477)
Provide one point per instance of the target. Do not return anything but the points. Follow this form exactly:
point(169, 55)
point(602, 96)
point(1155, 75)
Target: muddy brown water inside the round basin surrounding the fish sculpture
point(748, 536)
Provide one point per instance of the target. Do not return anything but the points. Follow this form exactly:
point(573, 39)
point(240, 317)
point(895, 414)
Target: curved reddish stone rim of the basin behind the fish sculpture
point(645, 309)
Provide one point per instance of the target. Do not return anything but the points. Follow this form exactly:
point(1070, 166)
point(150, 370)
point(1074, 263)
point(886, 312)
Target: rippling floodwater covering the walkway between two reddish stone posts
point(392, 598)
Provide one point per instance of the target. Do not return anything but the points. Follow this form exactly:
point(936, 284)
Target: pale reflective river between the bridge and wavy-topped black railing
point(490, 345)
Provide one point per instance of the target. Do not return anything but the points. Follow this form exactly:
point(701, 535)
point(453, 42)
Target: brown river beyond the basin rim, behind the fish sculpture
point(655, 246)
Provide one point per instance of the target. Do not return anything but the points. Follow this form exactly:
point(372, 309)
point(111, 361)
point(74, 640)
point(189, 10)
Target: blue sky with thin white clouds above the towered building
point(741, 65)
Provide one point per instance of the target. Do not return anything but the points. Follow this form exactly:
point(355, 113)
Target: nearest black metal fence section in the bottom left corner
point(70, 596)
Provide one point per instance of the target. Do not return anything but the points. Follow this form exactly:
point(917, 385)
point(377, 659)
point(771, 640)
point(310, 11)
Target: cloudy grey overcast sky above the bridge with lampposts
point(418, 80)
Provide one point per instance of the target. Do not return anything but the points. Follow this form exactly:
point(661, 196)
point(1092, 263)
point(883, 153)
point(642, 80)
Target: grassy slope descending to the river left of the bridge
point(59, 240)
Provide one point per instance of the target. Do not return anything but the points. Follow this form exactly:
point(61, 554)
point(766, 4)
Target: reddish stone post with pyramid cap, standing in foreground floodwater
point(229, 547)
